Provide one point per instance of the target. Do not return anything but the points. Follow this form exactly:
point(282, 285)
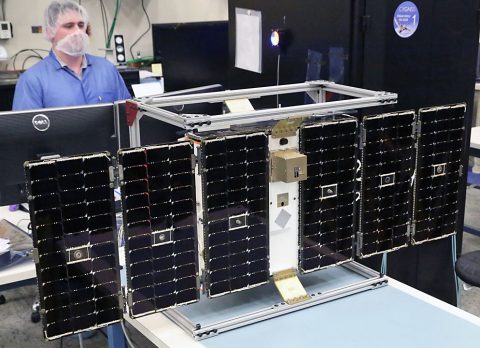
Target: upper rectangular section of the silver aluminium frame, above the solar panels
point(152, 106)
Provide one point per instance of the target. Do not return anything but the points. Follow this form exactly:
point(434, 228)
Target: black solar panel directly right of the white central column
point(327, 196)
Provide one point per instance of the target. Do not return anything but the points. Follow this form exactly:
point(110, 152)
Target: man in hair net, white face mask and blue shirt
point(68, 76)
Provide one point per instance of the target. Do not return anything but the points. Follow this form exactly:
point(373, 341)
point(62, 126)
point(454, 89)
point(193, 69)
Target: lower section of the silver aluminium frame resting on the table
point(373, 280)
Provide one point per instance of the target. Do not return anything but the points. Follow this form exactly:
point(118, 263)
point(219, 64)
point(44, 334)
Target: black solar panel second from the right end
point(387, 169)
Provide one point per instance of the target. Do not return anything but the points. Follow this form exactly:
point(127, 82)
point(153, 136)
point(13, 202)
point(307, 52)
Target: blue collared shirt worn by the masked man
point(49, 84)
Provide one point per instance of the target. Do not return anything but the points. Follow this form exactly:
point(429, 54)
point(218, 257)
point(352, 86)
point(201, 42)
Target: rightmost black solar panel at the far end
point(439, 157)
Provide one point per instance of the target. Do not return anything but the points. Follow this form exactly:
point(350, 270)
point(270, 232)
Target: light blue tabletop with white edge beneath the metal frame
point(410, 317)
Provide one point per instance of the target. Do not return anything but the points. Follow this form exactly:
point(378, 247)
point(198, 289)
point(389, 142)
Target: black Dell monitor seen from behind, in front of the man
point(35, 134)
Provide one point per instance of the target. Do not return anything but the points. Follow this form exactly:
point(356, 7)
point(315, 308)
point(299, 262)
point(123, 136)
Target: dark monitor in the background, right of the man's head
point(192, 54)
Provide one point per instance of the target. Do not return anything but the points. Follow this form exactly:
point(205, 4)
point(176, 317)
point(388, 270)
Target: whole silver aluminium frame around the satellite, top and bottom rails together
point(359, 98)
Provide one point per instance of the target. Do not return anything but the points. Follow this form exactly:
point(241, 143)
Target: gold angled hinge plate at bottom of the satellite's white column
point(289, 286)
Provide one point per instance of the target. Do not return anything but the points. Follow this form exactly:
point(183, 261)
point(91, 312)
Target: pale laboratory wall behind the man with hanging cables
point(131, 22)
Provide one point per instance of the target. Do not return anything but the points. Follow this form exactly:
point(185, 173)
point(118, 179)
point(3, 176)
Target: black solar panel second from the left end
point(159, 219)
